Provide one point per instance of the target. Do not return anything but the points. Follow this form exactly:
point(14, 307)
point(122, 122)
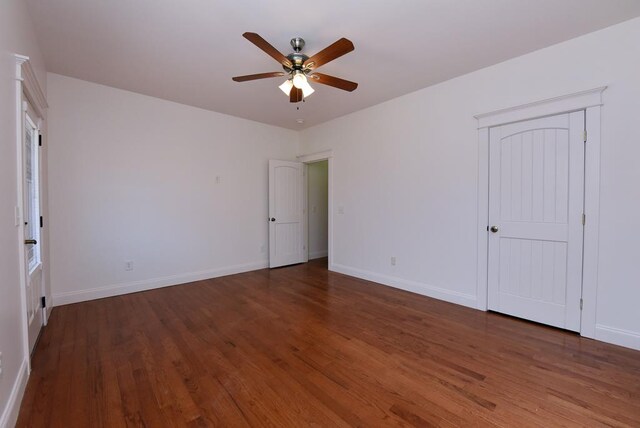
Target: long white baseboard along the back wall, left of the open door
point(149, 284)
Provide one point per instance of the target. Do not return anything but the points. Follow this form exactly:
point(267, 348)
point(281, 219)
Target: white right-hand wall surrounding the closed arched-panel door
point(405, 174)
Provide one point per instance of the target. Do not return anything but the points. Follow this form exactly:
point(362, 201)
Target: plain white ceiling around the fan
point(188, 50)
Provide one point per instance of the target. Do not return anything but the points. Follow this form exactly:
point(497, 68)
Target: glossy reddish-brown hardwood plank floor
point(301, 346)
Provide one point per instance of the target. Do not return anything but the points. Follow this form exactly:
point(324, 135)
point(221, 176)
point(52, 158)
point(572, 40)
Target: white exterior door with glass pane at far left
point(31, 218)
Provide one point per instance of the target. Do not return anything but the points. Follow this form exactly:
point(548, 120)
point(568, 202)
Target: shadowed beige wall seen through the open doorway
point(318, 208)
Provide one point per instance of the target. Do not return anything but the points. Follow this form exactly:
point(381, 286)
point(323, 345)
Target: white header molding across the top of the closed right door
point(562, 104)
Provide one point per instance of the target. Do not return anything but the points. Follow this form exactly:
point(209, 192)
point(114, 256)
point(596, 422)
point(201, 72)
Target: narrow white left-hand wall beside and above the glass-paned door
point(16, 37)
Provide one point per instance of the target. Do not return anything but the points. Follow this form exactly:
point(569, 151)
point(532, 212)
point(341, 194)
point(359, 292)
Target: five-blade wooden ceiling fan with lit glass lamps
point(299, 68)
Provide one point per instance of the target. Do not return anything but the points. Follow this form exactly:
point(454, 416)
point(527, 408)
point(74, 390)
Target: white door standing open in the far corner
point(286, 208)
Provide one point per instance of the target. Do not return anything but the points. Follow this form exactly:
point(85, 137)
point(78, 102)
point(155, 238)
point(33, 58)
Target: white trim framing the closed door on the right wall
point(591, 102)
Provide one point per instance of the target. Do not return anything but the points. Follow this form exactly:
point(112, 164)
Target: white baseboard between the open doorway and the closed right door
point(413, 286)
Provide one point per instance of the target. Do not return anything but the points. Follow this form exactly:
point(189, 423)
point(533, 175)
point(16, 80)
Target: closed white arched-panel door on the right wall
point(536, 192)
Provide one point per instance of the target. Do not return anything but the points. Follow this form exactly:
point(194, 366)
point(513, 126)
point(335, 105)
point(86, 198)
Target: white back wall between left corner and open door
point(178, 191)
